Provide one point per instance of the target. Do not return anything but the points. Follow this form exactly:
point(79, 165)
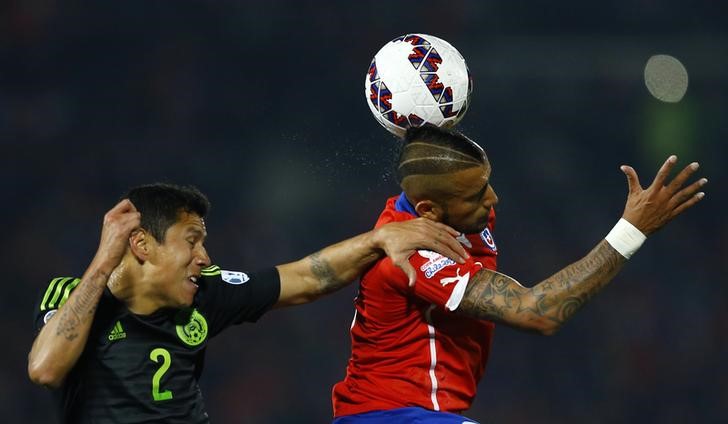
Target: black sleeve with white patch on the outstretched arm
point(232, 297)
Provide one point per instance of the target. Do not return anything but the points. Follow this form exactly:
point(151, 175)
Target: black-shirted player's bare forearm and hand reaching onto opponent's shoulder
point(336, 266)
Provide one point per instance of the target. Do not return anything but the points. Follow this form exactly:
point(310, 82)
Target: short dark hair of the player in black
point(160, 205)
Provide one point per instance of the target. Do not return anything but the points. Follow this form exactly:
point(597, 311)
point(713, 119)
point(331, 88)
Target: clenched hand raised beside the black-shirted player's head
point(119, 223)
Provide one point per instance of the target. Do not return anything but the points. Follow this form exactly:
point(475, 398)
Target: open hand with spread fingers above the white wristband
point(651, 208)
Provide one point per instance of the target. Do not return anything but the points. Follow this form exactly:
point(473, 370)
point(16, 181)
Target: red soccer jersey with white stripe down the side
point(408, 347)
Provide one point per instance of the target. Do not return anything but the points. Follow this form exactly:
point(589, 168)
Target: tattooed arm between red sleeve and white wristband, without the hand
point(546, 306)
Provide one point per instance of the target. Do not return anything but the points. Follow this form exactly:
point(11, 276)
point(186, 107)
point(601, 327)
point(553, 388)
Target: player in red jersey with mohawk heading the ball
point(419, 351)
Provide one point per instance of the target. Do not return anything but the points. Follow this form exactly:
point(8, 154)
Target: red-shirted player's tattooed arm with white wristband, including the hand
point(546, 306)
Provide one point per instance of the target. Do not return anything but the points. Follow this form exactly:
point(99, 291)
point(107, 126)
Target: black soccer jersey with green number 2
point(145, 369)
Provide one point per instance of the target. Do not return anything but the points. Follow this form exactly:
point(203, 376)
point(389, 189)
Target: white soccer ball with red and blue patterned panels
point(417, 79)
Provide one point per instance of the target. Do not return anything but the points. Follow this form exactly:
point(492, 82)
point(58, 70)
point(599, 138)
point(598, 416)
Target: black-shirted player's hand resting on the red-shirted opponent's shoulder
point(400, 239)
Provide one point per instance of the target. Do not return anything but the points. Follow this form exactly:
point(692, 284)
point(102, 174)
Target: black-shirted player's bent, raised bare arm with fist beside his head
point(61, 341)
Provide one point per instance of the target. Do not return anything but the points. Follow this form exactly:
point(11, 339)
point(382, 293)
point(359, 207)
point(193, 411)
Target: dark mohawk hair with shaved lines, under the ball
point(431, 150)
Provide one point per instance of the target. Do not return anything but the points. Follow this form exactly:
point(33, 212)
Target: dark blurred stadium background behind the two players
point(261, 105)
